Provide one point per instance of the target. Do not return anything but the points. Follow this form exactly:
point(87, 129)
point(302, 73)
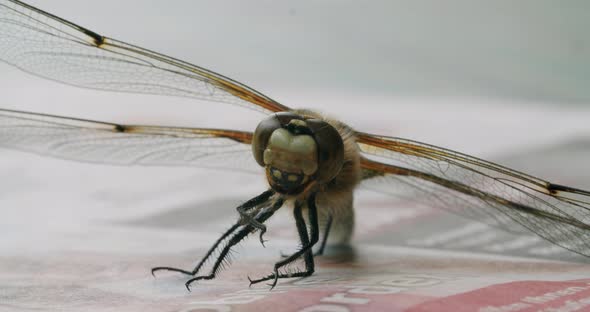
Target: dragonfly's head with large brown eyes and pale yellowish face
point(296, 151)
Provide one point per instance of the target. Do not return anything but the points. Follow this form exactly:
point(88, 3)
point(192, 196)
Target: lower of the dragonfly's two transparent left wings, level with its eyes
point(98, 142)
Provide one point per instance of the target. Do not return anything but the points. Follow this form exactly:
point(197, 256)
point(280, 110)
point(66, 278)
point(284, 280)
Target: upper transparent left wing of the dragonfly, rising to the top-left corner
point(48, 46)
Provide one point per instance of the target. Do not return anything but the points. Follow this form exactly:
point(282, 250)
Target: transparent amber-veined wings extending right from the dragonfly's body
point(477, 189)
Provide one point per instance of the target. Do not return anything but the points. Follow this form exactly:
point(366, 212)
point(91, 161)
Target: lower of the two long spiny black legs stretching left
point(238, 237)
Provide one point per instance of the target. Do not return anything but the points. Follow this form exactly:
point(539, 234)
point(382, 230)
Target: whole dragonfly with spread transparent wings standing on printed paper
point(312, 163)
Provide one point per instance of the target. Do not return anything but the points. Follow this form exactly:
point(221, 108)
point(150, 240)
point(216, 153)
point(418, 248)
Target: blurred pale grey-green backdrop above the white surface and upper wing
point(532, 50)
